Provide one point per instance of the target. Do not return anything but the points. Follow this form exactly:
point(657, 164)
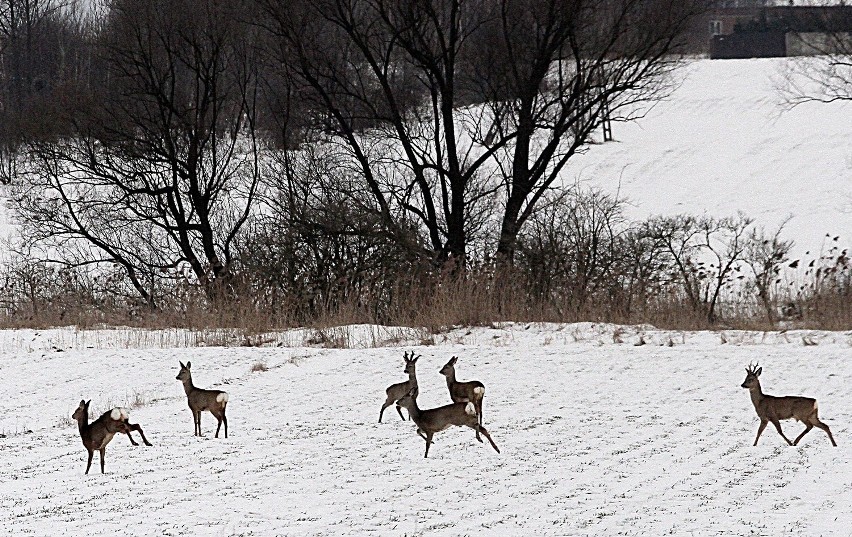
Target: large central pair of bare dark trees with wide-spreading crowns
point(444, 103)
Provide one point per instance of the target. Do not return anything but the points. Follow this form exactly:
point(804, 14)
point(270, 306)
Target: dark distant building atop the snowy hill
point(763, 29)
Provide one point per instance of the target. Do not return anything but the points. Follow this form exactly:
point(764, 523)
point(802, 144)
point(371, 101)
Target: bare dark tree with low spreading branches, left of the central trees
point(161, 170)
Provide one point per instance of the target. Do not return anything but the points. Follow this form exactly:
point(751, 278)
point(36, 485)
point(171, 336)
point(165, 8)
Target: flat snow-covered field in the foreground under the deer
point(598, 437)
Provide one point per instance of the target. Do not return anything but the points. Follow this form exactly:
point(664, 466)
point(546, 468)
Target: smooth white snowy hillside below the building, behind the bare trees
point(723, 142)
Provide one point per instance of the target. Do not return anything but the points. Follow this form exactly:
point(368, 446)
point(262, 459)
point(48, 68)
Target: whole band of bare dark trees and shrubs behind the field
point(201, 161)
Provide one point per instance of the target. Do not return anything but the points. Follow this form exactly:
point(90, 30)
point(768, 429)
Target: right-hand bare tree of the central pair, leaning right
point(563, 68)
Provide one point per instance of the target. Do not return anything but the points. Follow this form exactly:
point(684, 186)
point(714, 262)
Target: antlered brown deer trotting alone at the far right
point(772, 409)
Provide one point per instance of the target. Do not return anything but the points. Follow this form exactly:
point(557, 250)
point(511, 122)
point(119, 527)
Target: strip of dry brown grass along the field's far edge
point(433, 303)
